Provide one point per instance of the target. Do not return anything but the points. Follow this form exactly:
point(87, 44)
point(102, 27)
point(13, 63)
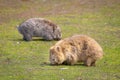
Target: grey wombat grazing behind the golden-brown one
point(39, 27)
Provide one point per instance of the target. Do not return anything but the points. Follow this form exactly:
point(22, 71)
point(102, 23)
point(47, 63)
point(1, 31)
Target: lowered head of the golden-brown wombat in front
point(56, 55)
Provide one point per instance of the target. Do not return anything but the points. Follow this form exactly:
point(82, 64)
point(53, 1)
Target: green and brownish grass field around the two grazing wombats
point(20, 60)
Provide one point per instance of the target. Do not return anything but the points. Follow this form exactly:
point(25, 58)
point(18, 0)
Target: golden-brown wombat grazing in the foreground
point(78, 48)
